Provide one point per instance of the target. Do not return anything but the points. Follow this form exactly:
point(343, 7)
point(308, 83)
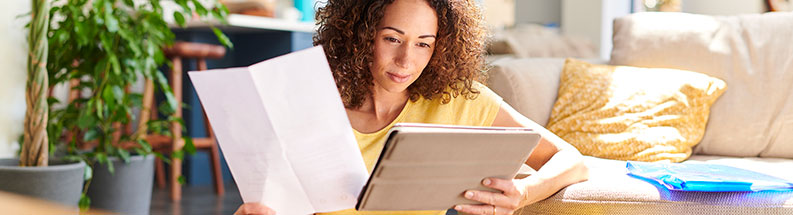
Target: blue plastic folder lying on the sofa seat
point(706, 177)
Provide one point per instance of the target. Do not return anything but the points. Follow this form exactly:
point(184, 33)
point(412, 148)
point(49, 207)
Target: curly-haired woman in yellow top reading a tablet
point(419, 61)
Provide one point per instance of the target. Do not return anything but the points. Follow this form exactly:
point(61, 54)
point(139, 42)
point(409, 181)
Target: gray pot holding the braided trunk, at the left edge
point(60, 182)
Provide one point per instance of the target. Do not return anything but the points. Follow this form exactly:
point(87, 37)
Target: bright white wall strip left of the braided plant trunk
point(13, 58)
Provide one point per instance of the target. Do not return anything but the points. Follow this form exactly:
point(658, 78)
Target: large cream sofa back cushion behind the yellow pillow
point(752, 53)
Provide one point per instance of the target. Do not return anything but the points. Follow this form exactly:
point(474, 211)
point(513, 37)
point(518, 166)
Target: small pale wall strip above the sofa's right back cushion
point(723, 7)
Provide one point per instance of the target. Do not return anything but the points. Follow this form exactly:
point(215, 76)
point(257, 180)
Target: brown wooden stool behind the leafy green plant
point(176, 53)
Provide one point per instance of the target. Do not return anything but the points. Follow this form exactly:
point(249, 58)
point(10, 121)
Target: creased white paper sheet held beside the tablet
point(284, 133)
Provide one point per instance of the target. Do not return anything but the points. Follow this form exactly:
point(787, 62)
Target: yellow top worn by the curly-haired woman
point(459, 111)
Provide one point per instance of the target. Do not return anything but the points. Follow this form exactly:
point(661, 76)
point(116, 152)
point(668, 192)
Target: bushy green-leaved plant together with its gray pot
point(101, 47)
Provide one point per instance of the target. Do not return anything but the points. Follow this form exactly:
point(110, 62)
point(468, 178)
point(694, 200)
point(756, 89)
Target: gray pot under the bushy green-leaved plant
point(127, 190)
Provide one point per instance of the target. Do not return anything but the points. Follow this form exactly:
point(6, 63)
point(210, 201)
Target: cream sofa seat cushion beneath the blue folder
point(610, 190)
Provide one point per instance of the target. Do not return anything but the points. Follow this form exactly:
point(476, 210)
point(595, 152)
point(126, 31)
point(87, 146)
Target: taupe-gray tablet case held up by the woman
point(428, 167)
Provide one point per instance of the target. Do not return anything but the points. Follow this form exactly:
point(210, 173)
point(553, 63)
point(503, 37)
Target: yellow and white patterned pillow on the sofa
point(630, 113)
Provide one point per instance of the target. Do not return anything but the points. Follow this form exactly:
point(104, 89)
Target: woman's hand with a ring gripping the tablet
point(510, 198)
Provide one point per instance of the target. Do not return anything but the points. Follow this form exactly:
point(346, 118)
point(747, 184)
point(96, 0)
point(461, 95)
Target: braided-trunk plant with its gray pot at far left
point(34, 173)
